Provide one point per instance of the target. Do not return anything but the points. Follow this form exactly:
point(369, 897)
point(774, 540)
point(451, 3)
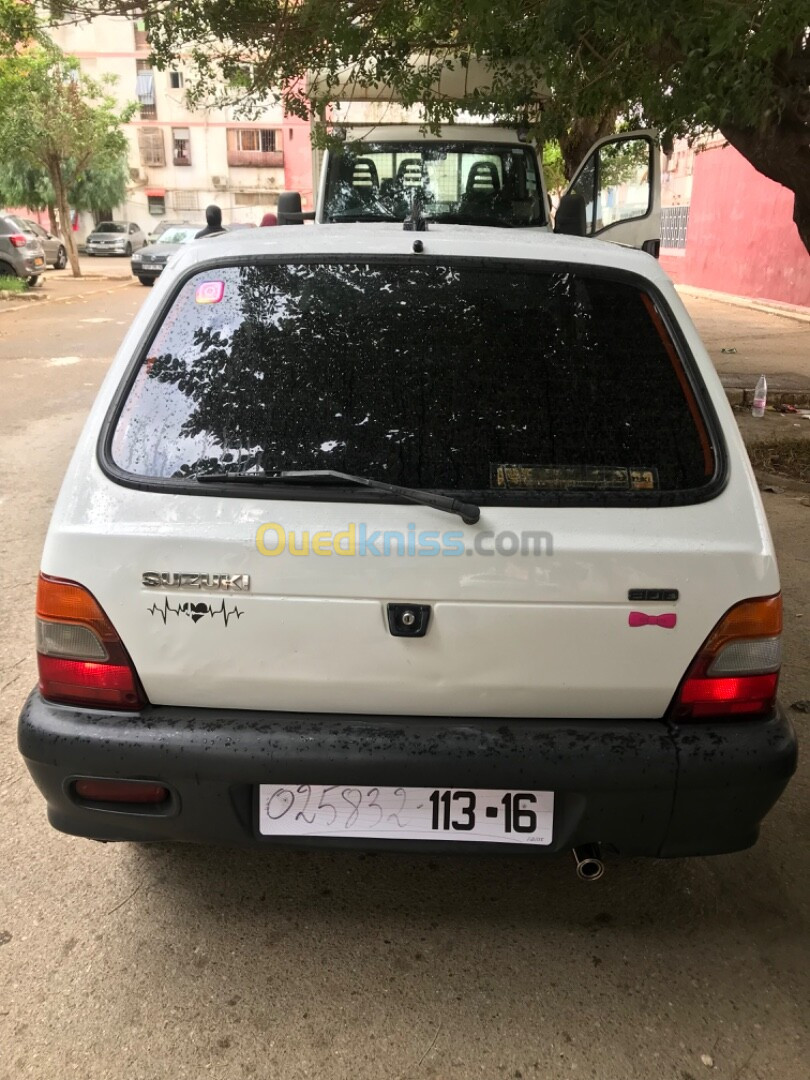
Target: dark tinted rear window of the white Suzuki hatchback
point(503, 380)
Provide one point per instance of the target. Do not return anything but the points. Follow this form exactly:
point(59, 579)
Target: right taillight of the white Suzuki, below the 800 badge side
point(736, 673)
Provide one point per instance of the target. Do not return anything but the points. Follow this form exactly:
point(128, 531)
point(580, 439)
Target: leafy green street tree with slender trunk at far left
point(58, 123)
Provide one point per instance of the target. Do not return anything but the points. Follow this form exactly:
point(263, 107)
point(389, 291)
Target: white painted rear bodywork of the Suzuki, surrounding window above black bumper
point(522, 636)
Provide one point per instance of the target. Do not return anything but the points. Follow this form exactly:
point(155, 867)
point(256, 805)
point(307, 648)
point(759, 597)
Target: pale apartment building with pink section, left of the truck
point(182, 160)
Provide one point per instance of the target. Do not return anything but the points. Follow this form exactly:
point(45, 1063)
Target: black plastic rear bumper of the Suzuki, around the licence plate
point(640, 788)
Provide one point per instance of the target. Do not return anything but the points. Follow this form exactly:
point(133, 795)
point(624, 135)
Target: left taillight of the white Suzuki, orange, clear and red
point(83, 660)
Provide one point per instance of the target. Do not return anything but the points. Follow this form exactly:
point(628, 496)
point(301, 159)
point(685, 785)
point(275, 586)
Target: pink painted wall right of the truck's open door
point(741, 238)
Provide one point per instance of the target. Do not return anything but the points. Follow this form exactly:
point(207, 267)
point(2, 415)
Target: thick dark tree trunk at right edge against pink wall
point(780, 153)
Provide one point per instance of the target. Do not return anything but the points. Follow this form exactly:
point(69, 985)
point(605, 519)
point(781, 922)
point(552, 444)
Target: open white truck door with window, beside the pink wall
point(619, 183)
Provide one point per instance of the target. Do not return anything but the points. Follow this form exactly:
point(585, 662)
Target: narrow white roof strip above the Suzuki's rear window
point(354, 240)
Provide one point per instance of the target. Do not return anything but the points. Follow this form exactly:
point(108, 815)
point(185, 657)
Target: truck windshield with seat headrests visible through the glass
point(458, 183)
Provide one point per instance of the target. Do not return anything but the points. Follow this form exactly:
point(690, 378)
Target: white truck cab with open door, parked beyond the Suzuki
point(484, 175)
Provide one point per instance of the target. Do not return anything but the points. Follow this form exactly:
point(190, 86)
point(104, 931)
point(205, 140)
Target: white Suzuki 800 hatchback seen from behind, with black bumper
point(415, 541)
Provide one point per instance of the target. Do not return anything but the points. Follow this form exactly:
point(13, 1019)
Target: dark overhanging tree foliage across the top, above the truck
point(741, 66)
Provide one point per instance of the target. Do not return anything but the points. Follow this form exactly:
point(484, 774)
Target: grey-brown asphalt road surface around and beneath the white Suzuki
point(144, 964)
